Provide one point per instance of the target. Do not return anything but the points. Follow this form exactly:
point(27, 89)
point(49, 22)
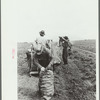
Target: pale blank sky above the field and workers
point(78, 19)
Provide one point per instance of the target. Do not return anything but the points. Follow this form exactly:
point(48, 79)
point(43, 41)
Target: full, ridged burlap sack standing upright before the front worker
point(46, 84)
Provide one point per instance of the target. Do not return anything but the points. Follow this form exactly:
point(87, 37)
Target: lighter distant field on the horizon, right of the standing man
point(89, 45)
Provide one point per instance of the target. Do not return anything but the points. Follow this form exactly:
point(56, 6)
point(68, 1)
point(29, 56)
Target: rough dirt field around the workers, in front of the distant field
point(75, 81)
